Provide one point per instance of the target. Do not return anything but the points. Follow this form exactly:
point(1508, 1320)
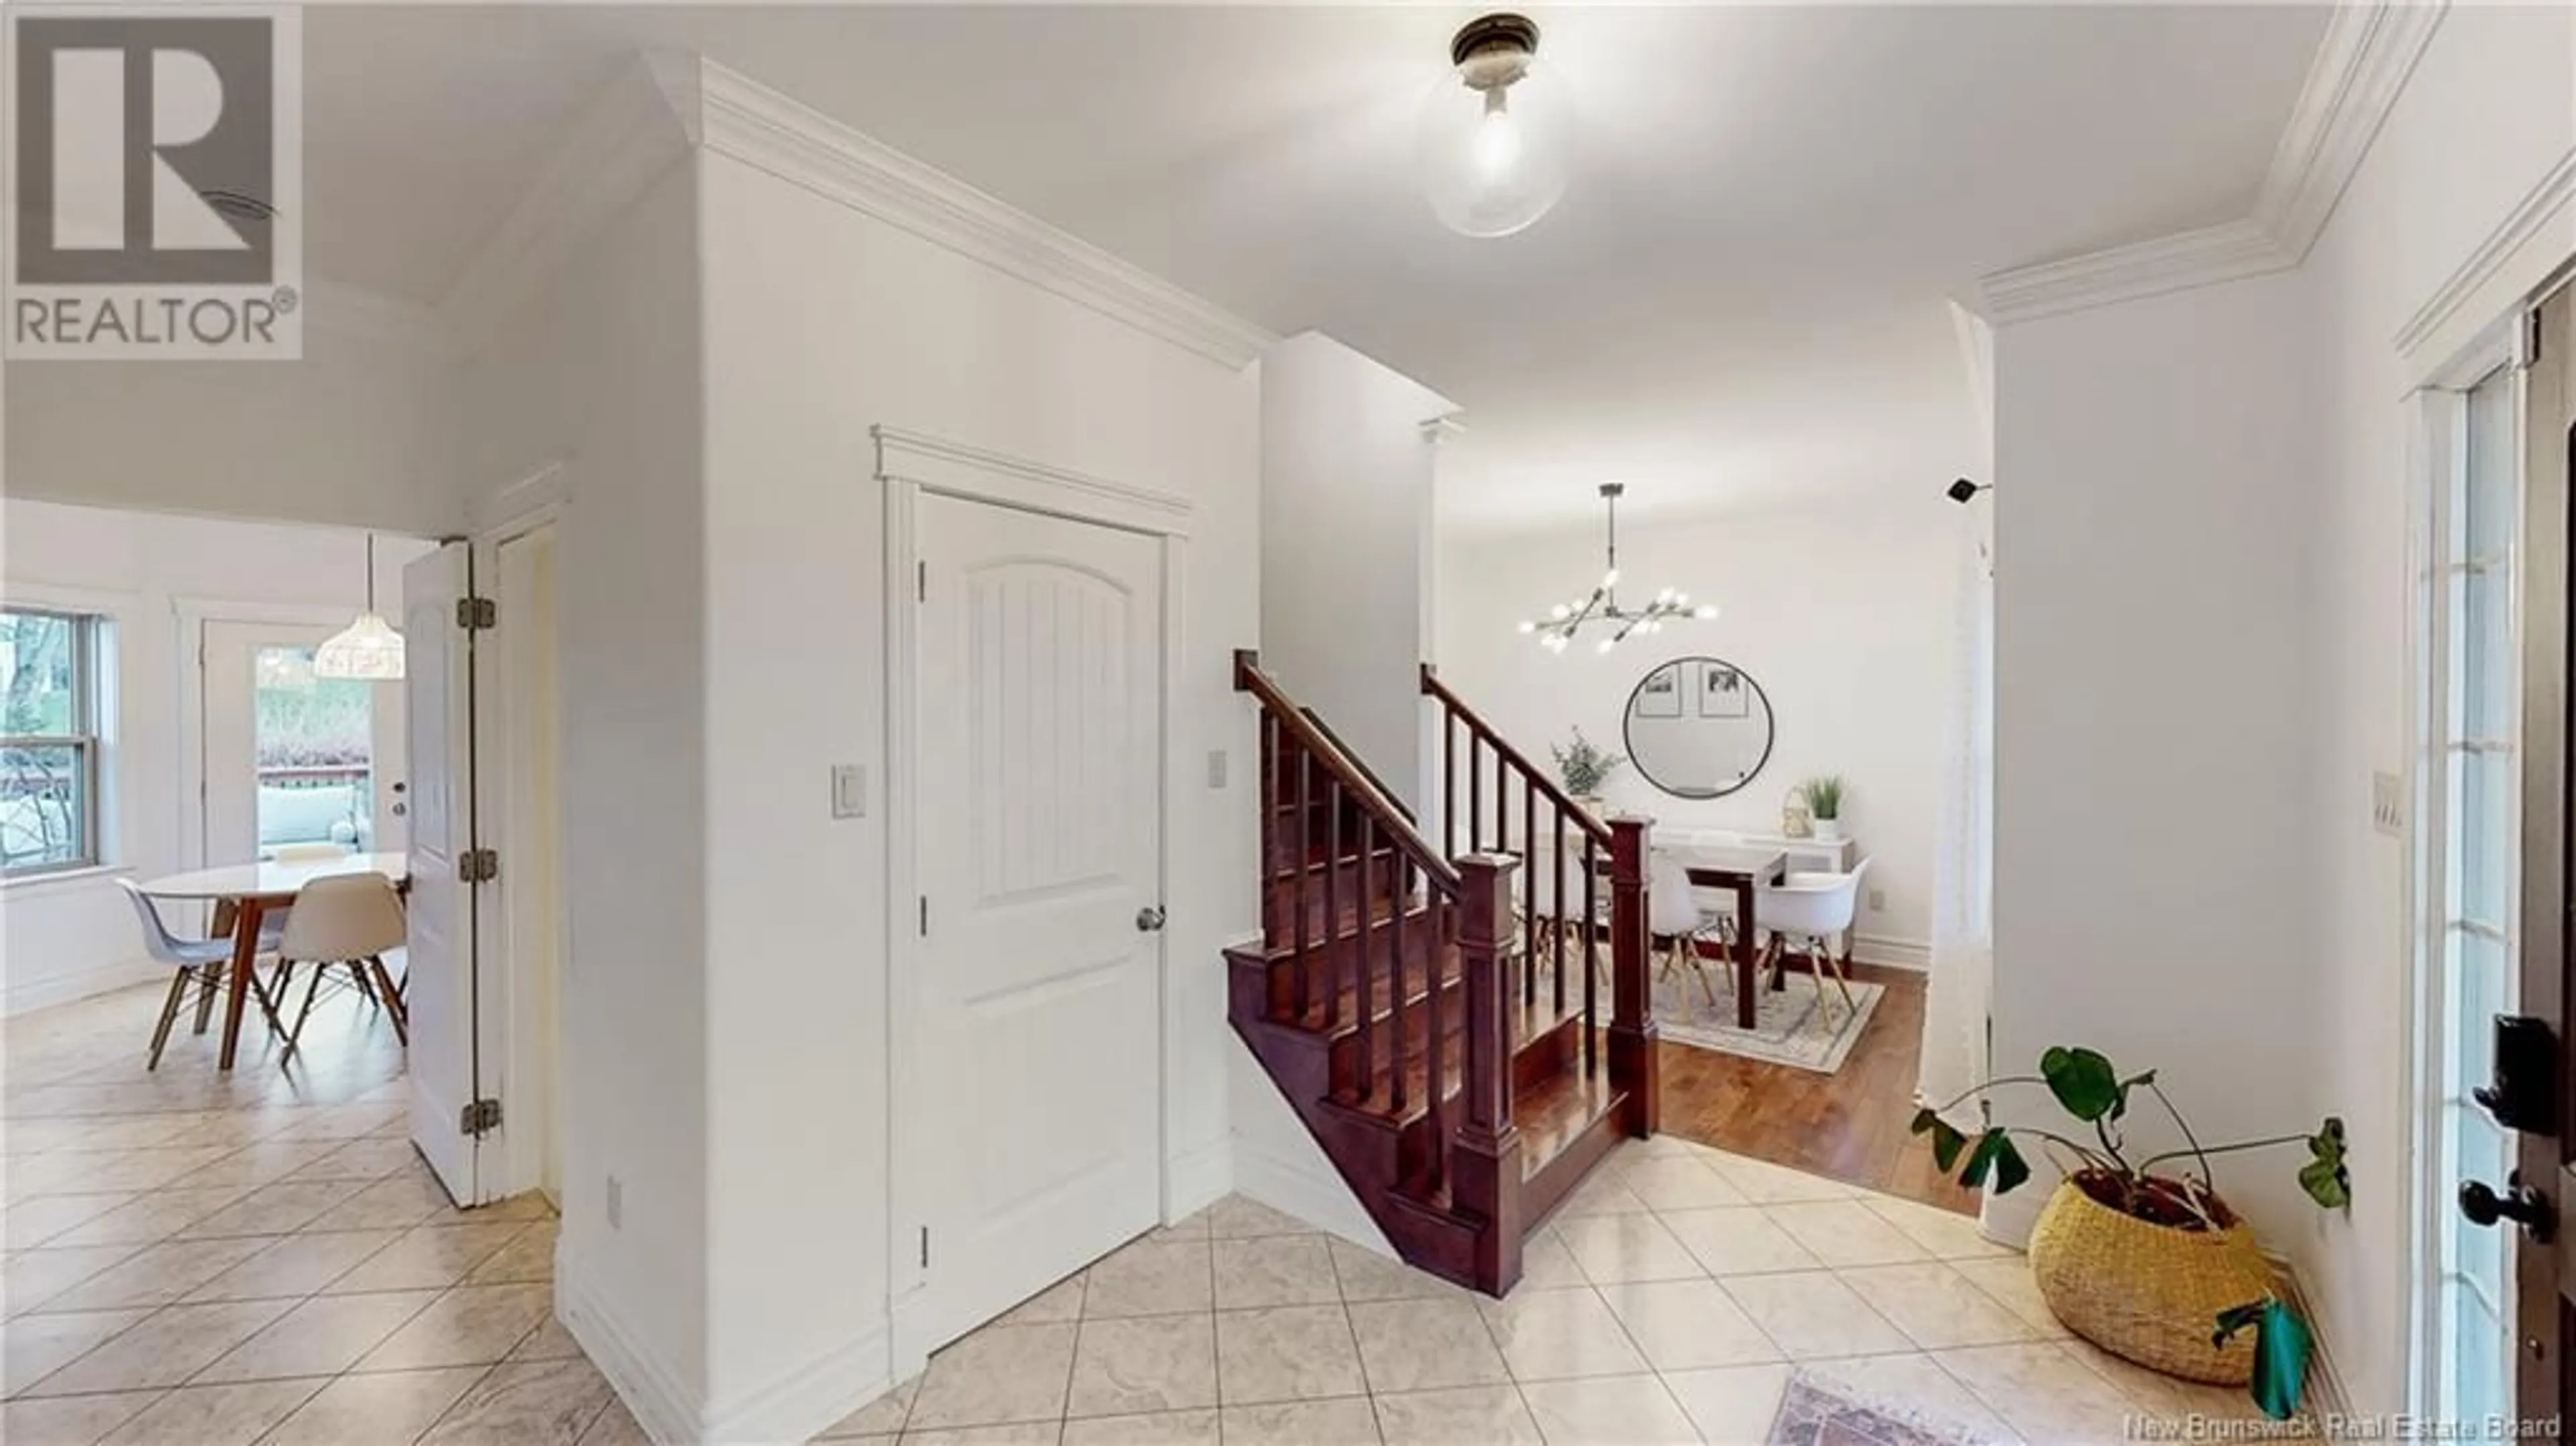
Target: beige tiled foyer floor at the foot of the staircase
point(1671, 1300)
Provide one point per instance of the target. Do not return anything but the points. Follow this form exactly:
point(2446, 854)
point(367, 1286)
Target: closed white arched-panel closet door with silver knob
point(1039, 862)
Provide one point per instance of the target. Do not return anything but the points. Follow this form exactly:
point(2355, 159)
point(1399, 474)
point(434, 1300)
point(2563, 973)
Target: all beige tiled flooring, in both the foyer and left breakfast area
point(205, 1262)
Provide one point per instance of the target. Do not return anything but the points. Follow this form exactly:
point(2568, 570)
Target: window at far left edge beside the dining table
point(48, 741)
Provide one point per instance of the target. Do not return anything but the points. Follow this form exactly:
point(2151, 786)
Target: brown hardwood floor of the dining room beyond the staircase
point(1848, 1125)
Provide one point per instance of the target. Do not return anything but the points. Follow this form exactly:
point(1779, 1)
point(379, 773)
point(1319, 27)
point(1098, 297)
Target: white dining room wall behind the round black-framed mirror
point(1843, 617)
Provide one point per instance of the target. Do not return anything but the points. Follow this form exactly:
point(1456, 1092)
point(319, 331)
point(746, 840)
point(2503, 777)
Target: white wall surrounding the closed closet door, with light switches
point(823, 323)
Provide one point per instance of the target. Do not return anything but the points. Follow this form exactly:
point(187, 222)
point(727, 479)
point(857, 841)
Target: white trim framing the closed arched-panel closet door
point(911, 465)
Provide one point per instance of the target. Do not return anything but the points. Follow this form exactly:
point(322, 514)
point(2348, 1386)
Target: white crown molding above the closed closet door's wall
point(795, 143)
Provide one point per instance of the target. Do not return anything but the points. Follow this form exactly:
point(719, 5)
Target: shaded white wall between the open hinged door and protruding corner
point(599, 380)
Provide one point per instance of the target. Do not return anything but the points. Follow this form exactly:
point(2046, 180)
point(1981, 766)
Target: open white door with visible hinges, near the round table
point(442, 991)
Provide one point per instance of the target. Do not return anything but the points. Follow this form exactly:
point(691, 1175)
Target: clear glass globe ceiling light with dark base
point(1488, 138)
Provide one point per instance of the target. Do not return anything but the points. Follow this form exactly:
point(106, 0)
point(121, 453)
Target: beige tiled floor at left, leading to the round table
point(205, 1262)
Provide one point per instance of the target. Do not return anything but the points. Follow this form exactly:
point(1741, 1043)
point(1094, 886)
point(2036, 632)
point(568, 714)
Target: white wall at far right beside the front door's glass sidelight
point(2487, 115)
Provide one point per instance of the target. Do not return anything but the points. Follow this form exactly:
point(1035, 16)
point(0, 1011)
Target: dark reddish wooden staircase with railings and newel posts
point(1449, 1056)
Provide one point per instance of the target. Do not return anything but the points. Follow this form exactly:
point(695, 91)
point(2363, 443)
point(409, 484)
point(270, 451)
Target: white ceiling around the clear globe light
point(1738, 305)
